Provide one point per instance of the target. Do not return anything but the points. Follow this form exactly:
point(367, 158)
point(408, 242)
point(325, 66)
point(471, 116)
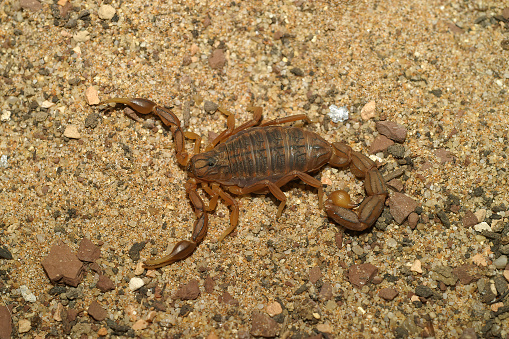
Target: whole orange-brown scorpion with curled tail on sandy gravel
point(260, 157)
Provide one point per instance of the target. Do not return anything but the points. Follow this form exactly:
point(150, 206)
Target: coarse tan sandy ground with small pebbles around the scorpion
point(71, 169)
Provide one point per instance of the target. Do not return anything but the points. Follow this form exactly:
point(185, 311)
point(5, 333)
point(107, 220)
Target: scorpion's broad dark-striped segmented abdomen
point(269, 153)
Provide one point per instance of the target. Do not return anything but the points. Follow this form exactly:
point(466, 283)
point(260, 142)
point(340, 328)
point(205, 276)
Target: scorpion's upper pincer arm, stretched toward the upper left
point(145, 106)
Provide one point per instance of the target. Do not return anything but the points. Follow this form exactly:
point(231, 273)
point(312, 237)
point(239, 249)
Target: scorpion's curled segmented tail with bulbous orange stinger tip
point(338, 206)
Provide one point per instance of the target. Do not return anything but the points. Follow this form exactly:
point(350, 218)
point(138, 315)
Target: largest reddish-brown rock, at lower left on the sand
point(63, 266)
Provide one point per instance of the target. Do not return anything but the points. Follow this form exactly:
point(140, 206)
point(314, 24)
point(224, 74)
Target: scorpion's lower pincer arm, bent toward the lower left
point(185, 248)
